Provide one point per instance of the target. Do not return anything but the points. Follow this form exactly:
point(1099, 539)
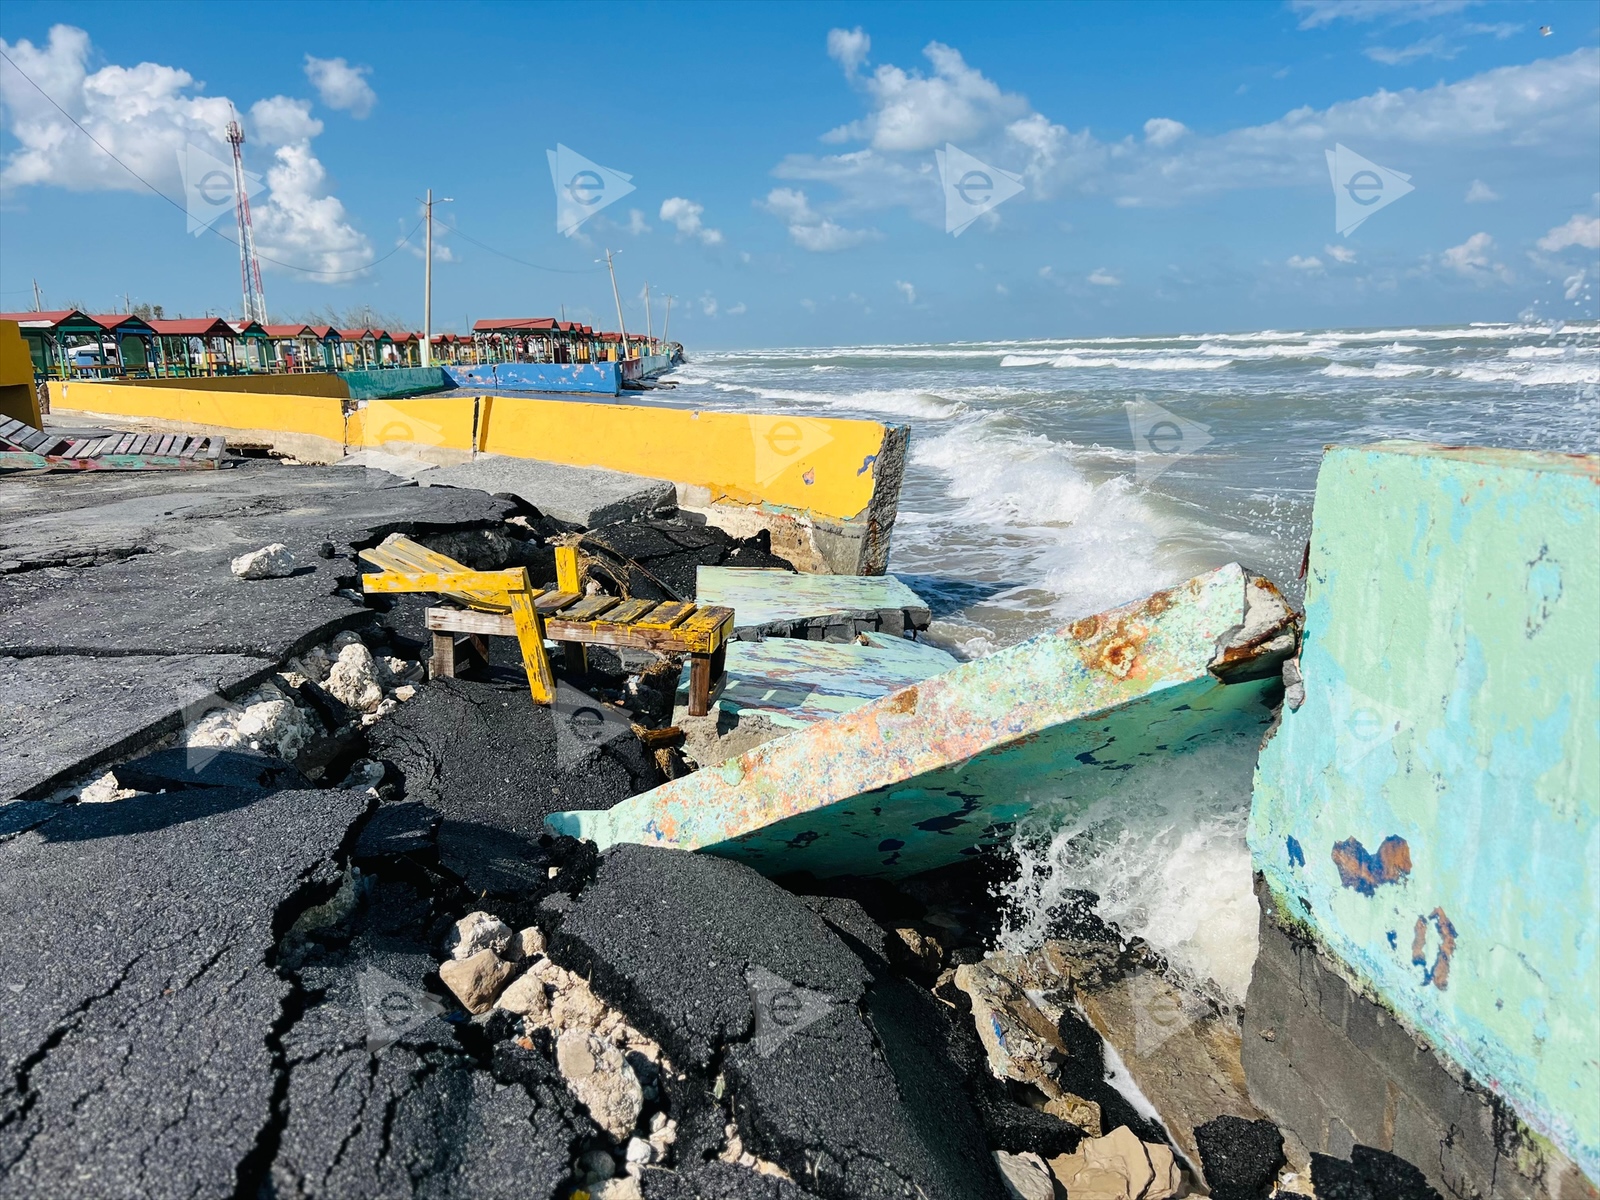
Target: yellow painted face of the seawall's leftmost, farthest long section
point(306, 415)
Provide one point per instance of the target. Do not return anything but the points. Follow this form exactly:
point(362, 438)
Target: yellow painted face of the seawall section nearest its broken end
point(822, 465)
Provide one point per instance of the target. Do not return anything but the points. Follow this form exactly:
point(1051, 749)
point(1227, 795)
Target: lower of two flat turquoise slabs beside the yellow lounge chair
point(794, 682)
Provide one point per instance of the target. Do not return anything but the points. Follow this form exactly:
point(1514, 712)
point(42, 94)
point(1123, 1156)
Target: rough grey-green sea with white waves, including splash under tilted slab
point(1031, 498)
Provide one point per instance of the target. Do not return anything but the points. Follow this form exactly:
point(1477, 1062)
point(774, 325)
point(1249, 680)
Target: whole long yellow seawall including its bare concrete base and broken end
point(826, 489)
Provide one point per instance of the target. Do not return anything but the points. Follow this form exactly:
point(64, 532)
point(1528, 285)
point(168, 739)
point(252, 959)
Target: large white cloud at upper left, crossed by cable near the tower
point(146, 116)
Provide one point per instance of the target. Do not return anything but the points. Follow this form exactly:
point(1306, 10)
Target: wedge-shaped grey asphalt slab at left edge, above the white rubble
point(66, 714)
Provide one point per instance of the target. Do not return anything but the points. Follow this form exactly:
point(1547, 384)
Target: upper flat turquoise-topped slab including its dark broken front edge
point(785, 604)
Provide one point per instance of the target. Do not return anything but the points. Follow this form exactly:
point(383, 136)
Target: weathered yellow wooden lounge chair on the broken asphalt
point(505, 604)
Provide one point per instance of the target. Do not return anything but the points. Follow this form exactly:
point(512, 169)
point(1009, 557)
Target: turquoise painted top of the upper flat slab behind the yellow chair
point(764, 599)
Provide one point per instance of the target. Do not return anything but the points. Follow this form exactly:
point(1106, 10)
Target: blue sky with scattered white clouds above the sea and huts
point(1172, 162)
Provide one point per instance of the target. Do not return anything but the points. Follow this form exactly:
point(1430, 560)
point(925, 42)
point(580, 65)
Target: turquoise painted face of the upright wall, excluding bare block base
point(1433, 810)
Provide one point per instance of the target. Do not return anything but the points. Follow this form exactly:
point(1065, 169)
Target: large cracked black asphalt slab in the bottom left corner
point(140, 1022)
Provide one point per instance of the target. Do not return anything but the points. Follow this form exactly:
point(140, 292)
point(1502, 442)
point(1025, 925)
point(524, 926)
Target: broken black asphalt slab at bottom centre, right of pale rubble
point(724, 967)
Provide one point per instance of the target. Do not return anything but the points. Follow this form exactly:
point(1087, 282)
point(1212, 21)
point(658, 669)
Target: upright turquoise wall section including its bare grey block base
point(1425, 825)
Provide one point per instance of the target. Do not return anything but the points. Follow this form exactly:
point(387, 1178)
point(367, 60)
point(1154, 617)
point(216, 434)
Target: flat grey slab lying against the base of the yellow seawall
point(586, 497)
